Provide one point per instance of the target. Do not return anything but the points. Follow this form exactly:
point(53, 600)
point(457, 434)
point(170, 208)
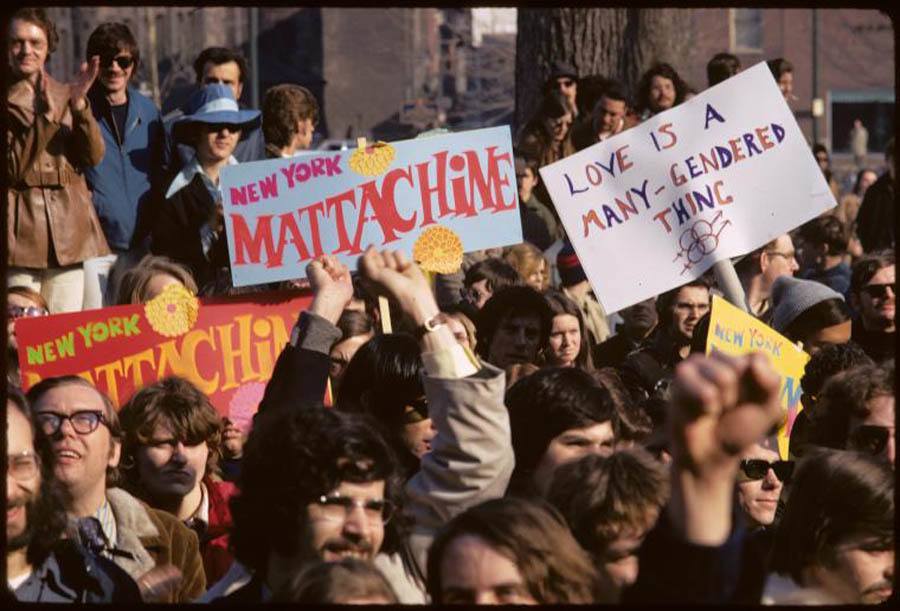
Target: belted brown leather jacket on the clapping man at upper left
point(51, 221)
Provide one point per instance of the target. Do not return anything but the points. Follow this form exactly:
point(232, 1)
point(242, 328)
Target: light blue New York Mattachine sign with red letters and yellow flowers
point(281, 213)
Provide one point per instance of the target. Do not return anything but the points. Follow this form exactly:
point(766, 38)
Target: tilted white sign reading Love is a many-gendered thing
point(715, 177)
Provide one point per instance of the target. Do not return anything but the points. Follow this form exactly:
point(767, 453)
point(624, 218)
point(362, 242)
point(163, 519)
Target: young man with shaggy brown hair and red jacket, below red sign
point(172, 449)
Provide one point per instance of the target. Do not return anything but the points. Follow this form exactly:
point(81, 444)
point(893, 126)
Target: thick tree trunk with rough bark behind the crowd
point(617, 43)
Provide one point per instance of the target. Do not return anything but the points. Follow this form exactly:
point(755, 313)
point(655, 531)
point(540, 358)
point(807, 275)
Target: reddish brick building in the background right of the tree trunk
point(854, 67)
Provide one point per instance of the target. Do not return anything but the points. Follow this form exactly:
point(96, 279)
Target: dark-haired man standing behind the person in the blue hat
point(226, 67)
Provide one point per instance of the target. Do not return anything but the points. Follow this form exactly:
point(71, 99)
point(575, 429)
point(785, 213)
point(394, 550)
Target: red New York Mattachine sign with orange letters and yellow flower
point(226, 346)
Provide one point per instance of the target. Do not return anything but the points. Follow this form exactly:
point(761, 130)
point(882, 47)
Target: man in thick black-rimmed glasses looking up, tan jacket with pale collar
point(152, 546)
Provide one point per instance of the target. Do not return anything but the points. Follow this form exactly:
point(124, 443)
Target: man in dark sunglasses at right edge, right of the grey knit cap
point(873, 287)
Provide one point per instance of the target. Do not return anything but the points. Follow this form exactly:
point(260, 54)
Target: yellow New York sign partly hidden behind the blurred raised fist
point(735, 332)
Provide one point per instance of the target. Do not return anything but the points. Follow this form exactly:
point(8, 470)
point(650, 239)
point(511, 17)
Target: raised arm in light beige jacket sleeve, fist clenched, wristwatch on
point(471, 459)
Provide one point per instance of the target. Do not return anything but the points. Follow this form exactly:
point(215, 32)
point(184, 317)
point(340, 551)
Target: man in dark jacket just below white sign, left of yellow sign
point(647, 370)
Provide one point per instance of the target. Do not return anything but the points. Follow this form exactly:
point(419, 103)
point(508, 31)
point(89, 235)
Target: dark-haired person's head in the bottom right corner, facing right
point(835, 544)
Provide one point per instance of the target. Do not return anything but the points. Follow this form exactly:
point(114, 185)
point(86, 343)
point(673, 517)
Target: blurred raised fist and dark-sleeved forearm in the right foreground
point(720, 406)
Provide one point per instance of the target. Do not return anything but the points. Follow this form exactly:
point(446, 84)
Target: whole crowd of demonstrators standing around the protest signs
point(508, 442)
